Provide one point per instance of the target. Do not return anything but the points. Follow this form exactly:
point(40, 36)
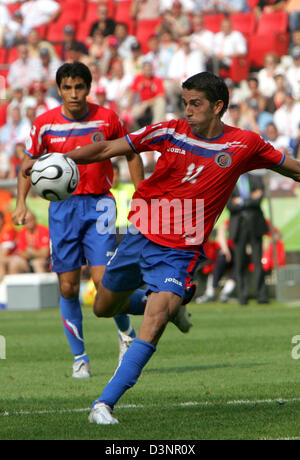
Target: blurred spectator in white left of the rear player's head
point(25, 69)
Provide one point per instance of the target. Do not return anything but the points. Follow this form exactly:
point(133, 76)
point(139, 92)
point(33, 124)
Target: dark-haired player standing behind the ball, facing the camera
point(73, 222)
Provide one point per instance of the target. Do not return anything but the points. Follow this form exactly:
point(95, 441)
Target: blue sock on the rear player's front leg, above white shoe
point(72, 321)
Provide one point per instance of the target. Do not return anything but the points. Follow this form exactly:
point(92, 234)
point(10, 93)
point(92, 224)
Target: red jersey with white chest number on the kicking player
point(180, 203)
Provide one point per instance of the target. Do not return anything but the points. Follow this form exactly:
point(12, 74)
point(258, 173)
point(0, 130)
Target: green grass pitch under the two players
point(232, 377)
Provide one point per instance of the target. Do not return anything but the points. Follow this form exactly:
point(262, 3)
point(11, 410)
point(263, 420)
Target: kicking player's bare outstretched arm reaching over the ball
point(101, 151)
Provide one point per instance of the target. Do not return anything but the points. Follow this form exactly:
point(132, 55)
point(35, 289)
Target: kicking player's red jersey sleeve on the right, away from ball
point(265, 155)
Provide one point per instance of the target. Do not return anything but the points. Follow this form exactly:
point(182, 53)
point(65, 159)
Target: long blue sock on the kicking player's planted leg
point(127, 374)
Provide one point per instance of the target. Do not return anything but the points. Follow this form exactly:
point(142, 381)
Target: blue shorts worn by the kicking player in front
point(139, 261)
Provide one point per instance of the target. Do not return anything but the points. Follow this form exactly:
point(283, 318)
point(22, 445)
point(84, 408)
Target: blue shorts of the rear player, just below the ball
point(76, 232)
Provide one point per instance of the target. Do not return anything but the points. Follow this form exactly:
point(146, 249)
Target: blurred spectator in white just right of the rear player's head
point(116, 85)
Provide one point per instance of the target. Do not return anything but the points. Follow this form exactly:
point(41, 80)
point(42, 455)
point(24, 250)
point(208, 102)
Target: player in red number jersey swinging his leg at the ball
point(173, 213)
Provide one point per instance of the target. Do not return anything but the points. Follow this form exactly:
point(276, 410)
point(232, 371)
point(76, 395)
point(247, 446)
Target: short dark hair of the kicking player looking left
point(211, 85)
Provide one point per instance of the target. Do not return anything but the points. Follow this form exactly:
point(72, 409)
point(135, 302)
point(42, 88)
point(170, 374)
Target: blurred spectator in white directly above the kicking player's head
point(201, 38)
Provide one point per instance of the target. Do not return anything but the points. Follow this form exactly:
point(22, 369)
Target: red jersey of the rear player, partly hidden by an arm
point(53, 132)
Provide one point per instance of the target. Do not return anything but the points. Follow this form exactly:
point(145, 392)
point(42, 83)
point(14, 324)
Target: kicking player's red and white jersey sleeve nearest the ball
point(152, 137)
